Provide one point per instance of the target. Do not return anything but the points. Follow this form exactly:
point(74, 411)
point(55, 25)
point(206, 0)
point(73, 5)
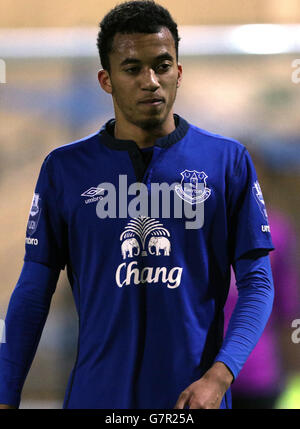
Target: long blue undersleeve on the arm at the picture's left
point(26, 316)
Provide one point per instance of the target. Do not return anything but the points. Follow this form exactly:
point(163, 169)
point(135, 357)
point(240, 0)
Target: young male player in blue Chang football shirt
point(149, 291)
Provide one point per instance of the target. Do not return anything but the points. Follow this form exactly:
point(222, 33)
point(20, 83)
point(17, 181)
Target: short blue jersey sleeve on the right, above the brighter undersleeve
point(248, 218)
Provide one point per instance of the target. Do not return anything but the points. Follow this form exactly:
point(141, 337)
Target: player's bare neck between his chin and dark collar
point(143, 138)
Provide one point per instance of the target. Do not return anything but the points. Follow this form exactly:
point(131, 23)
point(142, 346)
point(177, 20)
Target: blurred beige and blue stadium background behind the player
point(237, 82)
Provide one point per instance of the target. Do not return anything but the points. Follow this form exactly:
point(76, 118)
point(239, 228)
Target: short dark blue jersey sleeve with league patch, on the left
point(46, 235)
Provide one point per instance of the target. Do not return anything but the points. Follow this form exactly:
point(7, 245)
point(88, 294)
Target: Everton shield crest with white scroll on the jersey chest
point(192, 188)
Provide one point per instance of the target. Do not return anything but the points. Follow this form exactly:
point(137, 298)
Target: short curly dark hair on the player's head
point(130, 17)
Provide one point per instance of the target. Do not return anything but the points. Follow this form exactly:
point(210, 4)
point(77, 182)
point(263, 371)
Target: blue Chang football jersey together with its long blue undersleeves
point(149, 291)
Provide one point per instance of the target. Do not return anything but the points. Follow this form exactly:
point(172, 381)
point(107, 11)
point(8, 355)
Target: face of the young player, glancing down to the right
point(143, 78)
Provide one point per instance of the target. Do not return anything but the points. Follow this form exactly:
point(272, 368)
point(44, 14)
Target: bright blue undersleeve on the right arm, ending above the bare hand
point(255, 286)
